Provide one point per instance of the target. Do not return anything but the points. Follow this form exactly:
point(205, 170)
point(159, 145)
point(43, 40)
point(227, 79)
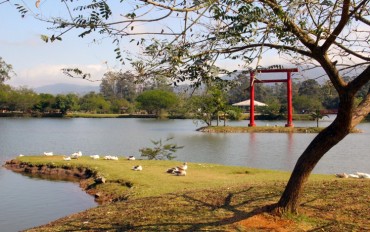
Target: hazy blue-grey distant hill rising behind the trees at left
point(66, 88)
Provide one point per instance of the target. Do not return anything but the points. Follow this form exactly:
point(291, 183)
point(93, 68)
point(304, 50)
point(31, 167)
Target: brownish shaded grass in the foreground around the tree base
point(224, 209)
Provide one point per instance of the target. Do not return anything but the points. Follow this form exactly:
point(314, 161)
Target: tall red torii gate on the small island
point(289, 92)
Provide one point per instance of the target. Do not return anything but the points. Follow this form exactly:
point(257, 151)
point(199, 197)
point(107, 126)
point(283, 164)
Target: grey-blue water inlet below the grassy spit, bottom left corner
point(37, 201)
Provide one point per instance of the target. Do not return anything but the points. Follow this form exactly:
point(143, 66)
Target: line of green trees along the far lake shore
point(124, 93)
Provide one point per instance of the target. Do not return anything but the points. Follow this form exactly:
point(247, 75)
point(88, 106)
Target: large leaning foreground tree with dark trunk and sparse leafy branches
point(189, 38)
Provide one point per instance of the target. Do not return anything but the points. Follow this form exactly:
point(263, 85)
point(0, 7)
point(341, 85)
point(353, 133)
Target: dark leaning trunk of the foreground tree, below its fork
point(322, 143)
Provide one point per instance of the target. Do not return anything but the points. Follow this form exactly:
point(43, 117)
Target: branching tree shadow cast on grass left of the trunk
point(232, 209)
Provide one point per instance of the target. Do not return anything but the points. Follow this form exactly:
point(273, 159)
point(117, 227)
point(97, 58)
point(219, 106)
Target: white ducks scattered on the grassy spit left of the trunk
point(177, 171)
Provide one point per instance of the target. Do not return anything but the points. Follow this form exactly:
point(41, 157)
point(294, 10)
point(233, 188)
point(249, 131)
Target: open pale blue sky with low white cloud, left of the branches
point(37, 63)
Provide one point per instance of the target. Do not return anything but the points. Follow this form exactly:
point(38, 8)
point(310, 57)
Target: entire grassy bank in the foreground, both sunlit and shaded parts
point(210, 197)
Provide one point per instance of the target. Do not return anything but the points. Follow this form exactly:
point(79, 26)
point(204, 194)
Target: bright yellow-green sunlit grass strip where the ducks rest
point(154, 181)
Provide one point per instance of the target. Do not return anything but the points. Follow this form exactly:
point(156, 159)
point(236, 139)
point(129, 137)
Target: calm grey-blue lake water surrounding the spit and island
point(28, 202)
